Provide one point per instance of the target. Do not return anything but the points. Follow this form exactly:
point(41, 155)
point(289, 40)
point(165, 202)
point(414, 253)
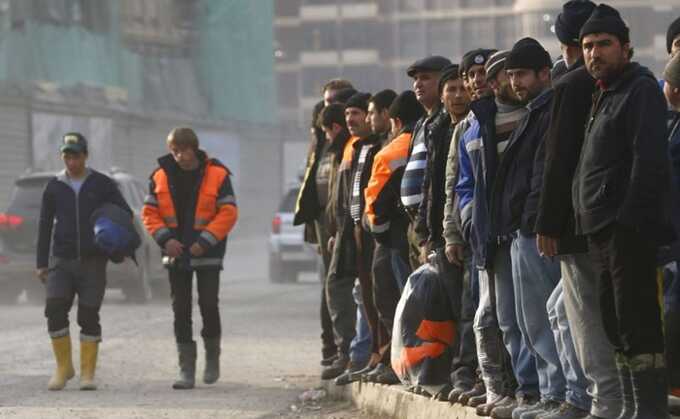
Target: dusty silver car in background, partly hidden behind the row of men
point(288, 253)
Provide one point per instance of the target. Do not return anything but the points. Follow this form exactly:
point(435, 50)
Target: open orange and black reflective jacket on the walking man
point(210, 215)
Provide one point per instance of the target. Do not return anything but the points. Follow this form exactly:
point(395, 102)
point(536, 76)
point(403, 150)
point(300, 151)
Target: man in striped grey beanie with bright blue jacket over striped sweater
point(481, 153)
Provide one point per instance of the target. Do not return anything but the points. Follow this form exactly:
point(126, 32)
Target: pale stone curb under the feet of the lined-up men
point(394, 402)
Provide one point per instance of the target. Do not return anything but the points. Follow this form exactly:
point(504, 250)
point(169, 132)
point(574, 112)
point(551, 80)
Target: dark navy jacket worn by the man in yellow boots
point(69, 215)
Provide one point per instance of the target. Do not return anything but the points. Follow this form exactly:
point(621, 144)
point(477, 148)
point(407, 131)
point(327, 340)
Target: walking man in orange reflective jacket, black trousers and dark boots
point(189, 211)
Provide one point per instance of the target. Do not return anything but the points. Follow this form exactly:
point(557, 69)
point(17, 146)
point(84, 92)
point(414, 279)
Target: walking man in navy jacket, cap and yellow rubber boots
point(76, 266)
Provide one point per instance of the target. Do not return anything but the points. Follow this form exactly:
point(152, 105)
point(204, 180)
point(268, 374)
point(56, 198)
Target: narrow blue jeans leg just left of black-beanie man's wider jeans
point(523, 362)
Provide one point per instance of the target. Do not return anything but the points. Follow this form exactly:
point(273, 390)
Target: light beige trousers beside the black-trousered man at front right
point(594, 351)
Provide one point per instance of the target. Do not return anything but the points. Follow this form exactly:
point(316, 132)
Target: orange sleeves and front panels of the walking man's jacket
point(215, 213)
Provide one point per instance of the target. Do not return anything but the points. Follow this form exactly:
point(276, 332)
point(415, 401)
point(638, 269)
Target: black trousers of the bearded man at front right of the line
point(625, 261)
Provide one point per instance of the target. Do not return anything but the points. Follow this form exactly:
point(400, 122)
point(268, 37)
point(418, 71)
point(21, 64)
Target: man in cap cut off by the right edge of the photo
point(671, 75)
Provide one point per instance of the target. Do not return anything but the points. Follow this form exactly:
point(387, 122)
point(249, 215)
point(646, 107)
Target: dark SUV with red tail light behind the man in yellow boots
point(19, 234)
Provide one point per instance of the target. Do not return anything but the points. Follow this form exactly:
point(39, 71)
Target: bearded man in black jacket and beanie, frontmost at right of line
point(619, 192)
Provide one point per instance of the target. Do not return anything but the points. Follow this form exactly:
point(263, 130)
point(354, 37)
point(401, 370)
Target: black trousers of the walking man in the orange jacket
point(208, 286)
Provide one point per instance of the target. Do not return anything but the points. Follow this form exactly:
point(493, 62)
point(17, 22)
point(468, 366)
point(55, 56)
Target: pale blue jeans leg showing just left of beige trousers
point(577, 383)
